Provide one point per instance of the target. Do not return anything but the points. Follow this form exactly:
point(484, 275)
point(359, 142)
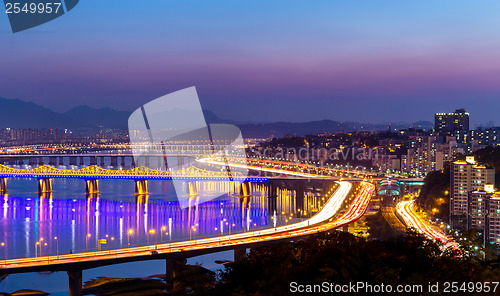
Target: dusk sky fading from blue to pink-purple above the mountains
point(366, 61)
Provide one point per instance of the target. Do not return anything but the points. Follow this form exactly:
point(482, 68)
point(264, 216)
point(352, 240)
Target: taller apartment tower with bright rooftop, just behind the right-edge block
point(466, 176)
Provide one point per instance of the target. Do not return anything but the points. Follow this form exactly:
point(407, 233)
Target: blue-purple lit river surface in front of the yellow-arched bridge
point(78, 223)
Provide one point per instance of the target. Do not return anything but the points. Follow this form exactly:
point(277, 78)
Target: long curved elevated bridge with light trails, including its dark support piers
point(324, 220)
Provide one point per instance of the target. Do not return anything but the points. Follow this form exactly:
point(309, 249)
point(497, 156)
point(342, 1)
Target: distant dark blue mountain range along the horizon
point(20, 114)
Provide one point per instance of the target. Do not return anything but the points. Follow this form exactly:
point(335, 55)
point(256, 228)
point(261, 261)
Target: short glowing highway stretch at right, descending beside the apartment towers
point(406, 210)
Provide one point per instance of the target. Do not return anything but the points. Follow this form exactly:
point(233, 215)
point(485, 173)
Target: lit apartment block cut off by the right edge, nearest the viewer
point(484, 213)
